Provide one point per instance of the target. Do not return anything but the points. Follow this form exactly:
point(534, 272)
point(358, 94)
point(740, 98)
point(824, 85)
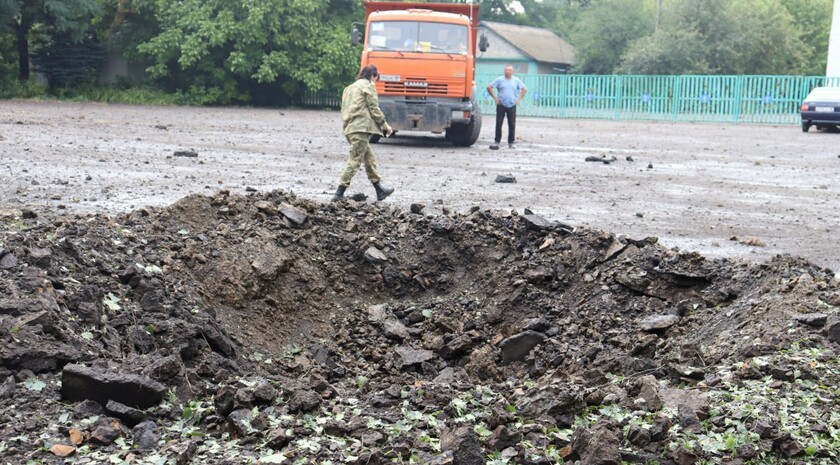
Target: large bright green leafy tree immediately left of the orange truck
point(219, 51)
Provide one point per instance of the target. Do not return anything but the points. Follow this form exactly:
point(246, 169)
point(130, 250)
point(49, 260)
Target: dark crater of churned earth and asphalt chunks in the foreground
point(273, 329)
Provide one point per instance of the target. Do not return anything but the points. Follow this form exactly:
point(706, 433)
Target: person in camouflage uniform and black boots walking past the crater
point(361, 117)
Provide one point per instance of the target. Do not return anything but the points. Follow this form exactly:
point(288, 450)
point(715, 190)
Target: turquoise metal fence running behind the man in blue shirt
point(725, 99)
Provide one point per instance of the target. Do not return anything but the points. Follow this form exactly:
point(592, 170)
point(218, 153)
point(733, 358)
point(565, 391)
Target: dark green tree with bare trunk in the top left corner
point(72, 18)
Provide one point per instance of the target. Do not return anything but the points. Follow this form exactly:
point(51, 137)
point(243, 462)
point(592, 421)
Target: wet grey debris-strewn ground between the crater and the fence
point(749, 191)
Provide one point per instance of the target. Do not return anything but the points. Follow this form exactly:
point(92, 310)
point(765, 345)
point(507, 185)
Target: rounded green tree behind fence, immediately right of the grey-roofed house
point(601, 36)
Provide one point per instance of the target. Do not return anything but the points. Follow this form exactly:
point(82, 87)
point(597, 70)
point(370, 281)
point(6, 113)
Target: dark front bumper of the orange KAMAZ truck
point(424, 115)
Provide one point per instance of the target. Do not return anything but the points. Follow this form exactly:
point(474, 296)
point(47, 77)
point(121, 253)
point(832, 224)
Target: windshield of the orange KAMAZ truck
point(413, 36)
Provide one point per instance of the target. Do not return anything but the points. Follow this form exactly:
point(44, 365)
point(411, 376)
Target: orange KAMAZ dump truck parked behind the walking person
point(425, 53)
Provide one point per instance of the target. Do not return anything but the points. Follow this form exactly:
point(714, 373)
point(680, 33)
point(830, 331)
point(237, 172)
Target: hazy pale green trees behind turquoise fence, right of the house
point(697, 36)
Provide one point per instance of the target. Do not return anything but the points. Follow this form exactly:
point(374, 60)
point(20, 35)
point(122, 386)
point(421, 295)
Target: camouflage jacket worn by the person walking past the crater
point(360, 109)
